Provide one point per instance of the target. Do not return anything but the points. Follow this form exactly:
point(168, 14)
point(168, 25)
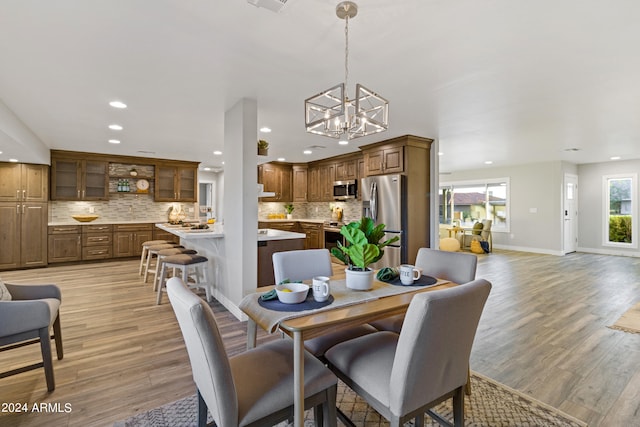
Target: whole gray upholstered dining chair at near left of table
point(253, 388)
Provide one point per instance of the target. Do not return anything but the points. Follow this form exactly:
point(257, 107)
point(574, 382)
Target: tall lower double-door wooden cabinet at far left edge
point(23, 234)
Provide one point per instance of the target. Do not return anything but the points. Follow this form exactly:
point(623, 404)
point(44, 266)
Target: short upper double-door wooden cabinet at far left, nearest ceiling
point(24, 182)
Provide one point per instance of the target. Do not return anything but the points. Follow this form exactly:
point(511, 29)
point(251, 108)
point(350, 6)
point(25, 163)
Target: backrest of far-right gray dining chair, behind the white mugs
point(454, 266)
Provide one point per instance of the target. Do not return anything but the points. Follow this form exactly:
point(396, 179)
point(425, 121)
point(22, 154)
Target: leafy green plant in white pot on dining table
point(364, 247)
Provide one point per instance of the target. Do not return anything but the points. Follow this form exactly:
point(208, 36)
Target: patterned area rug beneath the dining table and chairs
point(490, 404)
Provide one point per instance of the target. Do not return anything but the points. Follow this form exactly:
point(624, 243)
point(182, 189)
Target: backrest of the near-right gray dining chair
point(432, 354)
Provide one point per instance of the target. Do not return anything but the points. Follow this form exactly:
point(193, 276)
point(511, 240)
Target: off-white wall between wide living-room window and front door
point(535, 204)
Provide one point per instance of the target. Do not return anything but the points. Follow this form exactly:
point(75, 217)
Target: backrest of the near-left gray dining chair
point(209, 361)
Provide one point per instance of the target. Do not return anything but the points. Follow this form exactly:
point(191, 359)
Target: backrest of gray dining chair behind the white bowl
point(301, 264)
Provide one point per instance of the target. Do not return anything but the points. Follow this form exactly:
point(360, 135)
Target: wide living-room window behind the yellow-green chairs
point(464, 203)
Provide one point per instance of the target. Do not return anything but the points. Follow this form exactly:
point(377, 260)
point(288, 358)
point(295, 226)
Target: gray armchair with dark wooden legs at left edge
point(27, 319)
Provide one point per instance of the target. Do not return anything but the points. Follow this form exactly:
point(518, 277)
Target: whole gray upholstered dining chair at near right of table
point(403, 376)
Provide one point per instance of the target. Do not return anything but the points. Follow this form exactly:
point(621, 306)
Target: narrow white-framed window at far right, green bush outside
point(619, 210)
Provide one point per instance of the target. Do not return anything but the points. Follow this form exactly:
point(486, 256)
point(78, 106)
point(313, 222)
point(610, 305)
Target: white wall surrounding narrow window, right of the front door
point(591, 202)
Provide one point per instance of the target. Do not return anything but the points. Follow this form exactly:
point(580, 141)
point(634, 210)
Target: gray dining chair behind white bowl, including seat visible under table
point(304, 265)
